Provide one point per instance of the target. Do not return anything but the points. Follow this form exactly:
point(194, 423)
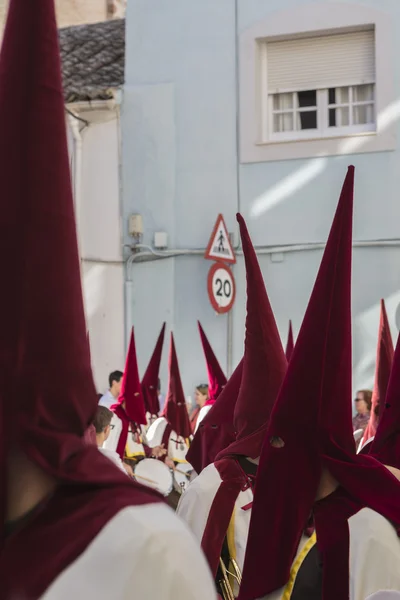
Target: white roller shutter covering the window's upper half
point(321, 62)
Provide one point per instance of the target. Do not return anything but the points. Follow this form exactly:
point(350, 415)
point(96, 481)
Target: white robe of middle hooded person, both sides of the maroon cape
point(195, 505)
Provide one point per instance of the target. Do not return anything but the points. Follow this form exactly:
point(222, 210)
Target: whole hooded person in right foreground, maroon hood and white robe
point(310, 466)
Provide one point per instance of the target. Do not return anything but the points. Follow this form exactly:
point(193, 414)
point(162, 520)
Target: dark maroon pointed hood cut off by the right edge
point(386, 444)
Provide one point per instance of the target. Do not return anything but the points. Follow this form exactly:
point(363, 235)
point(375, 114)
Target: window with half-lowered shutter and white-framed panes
point(318, 87)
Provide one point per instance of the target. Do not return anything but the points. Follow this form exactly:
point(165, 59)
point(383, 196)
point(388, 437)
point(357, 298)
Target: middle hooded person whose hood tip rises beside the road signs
point(217, 504)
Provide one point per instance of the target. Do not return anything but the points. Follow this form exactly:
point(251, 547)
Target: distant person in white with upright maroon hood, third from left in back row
point(172, 429)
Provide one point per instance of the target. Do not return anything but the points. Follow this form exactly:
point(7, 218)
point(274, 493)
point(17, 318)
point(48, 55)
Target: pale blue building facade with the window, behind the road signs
point(259, 107)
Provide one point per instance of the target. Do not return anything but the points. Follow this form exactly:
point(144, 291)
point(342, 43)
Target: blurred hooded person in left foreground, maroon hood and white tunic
point(67, 512)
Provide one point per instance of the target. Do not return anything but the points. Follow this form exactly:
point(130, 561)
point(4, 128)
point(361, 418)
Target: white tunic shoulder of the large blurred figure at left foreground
point(143, 552)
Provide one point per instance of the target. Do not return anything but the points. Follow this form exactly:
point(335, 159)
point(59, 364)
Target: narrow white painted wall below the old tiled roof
point(100, 239)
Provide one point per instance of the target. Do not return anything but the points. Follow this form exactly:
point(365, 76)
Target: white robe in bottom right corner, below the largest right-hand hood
point(374, 558)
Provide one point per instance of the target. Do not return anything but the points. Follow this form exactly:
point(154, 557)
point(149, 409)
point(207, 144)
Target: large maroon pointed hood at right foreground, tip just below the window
point(319, 379)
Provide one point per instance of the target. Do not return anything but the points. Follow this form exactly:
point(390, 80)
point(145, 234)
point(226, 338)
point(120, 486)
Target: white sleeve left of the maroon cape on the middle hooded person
point(195, 504)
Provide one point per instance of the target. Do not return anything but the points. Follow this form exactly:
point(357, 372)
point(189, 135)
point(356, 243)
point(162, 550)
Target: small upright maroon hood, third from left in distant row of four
point(175, 410)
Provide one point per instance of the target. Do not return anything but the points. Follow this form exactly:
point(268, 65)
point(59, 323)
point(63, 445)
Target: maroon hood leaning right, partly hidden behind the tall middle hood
point(216, 431)
